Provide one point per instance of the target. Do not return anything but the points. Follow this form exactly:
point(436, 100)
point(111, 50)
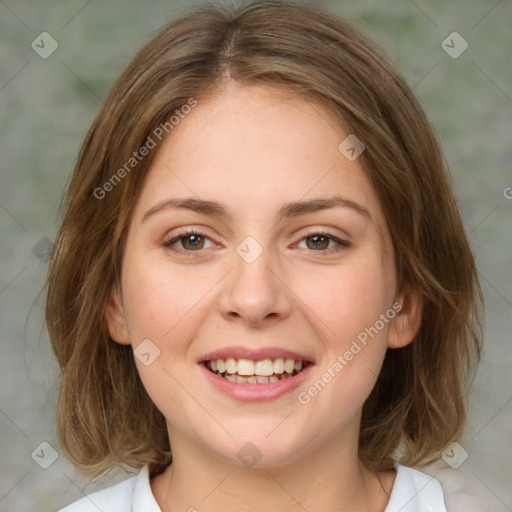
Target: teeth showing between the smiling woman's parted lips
point(247, 371)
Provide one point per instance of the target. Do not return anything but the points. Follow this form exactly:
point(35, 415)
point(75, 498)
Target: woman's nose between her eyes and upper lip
point(255, 293)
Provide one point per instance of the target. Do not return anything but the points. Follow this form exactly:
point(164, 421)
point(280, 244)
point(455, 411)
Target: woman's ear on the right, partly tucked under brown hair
point(407, 322)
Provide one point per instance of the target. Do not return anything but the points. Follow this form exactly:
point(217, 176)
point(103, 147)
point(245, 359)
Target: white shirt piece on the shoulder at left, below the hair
point(131, 494)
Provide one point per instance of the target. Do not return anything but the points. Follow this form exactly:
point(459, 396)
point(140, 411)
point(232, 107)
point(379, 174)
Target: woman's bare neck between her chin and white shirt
point(329, 478)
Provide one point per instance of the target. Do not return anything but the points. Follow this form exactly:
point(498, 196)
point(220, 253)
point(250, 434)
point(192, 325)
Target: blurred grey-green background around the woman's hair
point(47, 105)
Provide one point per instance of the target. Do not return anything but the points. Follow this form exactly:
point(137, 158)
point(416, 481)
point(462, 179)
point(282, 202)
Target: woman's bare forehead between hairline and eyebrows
point(254, 149)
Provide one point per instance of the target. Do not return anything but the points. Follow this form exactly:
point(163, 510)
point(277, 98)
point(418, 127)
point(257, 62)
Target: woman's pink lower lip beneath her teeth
point(256, 392)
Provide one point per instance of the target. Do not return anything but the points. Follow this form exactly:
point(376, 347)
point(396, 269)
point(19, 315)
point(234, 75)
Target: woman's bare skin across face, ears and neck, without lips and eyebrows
point(254, 150)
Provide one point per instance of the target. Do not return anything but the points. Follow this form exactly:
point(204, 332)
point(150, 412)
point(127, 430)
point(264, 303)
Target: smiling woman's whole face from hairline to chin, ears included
point(258, 282)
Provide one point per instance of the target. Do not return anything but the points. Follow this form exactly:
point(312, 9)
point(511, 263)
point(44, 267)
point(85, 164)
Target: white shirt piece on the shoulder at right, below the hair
point(414, 491)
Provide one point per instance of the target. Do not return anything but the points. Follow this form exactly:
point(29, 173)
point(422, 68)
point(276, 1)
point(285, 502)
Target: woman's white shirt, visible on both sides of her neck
point(412, 491)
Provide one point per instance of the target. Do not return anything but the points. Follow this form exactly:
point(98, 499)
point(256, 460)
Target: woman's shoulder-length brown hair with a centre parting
point(105, 418)
